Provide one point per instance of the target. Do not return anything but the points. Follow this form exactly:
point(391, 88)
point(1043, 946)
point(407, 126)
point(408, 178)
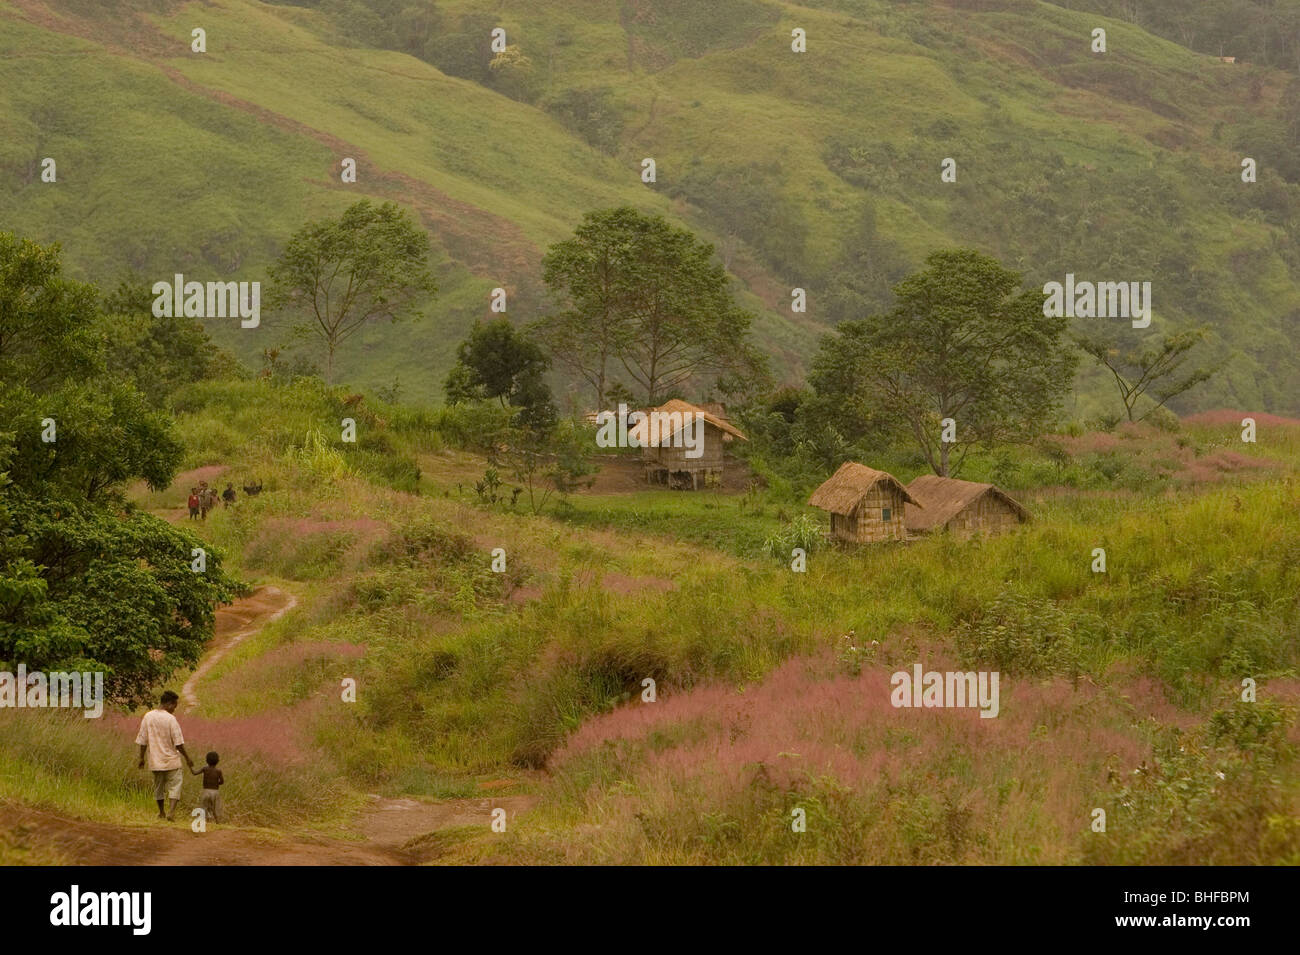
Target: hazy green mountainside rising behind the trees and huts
point(817, 170)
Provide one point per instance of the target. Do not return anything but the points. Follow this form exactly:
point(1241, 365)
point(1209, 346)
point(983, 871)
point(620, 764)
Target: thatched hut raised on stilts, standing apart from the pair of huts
point(666, 445)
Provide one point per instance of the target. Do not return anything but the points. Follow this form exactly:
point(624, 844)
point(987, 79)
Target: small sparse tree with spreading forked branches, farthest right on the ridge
point(1155, 368)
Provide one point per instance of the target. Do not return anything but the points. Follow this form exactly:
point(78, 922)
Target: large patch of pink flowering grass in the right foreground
point(714, 775)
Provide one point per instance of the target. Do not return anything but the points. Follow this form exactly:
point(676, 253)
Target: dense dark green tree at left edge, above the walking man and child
point(86, 580)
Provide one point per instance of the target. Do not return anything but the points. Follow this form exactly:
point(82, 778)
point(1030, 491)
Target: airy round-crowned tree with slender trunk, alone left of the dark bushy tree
point(367, 266)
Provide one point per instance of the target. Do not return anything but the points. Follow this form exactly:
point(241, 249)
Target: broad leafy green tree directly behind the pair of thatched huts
point(964, 342)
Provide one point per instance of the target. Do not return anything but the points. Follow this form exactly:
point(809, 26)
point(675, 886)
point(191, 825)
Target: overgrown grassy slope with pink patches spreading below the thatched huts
point(463, 680)
